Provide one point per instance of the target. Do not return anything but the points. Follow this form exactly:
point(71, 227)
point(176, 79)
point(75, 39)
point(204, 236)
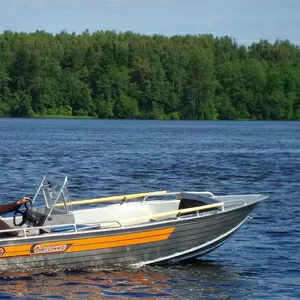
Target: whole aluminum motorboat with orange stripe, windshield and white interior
point(133, 230)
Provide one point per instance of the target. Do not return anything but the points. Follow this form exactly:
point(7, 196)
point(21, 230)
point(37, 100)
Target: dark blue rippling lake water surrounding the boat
point(261, 261)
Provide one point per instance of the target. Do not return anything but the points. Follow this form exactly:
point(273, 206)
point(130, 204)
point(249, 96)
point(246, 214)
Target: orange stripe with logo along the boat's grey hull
point(86, 244)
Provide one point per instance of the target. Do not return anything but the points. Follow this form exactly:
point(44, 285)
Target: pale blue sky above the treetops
point(247, 21)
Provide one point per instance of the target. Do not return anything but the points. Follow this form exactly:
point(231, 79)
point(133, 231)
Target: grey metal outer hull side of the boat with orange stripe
point(151, 243)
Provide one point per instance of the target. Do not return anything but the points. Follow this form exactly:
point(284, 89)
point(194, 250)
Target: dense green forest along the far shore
point(126, 75)
